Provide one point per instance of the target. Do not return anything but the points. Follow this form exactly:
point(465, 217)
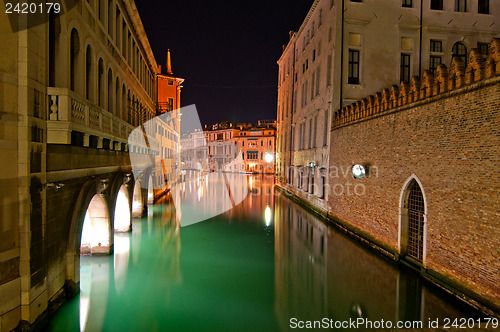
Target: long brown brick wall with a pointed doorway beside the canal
point(449, 140)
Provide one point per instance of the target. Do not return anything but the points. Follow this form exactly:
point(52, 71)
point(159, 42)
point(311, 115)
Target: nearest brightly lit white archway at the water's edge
point(96, 228)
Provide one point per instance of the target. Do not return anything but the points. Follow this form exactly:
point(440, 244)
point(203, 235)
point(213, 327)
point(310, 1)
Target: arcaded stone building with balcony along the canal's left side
point(71, 91)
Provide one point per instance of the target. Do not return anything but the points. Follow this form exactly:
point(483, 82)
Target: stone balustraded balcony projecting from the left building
point(68, 112)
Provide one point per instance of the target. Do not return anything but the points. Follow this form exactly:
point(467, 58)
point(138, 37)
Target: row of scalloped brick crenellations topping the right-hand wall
point(479, 68)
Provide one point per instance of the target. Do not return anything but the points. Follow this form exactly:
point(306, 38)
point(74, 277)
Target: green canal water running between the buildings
point(252, 268)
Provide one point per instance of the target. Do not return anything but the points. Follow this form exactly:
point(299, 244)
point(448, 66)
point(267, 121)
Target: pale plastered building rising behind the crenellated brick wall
point(346, 50)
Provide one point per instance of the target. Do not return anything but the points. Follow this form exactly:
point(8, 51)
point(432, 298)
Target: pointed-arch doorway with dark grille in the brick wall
point(413, 219)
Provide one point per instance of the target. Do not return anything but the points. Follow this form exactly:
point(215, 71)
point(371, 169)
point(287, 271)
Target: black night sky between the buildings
point(226, 50)
